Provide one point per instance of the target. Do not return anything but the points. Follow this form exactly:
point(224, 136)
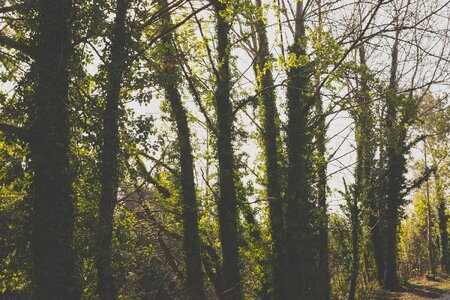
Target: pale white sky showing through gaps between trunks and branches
point(340, 130)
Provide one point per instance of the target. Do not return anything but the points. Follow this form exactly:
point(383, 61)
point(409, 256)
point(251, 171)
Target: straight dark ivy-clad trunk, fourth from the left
point(227, 206)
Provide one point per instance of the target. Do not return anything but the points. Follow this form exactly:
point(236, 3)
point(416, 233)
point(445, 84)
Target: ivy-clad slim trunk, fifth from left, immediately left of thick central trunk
point(271, 150)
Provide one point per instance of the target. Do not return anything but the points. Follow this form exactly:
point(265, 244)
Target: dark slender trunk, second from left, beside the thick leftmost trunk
point(107, 288)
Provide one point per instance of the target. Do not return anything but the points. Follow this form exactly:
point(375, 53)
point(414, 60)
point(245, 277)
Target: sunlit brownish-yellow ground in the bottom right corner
point(418, 289)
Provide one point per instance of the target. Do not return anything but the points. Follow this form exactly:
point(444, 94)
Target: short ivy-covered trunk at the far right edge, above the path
point(442, 223)
